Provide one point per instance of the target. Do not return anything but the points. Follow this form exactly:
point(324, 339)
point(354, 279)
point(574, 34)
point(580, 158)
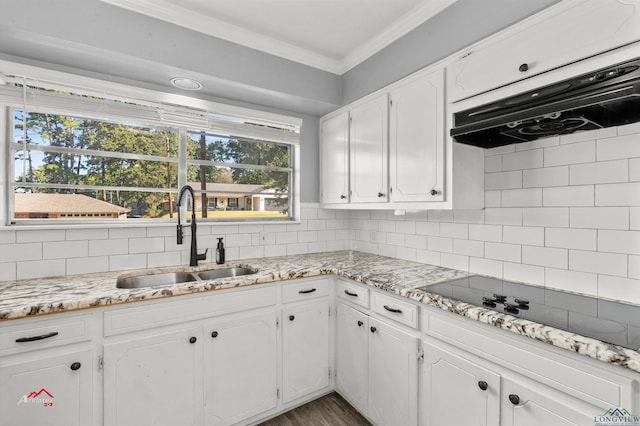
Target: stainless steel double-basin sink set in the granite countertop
point(179, 277)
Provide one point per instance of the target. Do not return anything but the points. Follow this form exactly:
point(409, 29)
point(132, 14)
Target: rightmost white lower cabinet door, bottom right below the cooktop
point(527, 403)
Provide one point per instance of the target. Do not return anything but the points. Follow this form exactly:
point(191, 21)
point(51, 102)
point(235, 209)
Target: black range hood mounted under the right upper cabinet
point(603, 98)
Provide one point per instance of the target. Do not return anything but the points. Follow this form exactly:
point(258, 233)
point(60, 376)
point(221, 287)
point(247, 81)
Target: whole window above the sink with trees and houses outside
point(77, 156)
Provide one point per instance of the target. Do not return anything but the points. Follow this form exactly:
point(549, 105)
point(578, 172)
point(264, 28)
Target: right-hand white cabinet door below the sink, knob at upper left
point(240, 368)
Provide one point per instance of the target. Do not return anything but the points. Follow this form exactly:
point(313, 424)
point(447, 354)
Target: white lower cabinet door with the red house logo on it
point(53, 390)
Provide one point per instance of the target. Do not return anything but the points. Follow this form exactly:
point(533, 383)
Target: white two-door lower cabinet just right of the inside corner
point(376, 367)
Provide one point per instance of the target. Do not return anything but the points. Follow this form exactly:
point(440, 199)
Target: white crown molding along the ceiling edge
point(173, 13)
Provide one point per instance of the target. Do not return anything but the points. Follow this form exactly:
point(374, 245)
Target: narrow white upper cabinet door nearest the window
point(334, 159)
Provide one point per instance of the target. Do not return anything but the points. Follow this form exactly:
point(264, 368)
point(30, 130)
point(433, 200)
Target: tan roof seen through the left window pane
point(62, 203)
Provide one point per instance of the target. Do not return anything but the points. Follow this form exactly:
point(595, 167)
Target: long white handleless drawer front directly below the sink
point(188, 308)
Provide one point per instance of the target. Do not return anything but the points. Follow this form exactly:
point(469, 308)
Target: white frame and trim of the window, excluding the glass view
point(174, 108)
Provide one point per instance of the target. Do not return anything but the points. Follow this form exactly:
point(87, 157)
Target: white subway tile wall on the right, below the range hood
point(562, 212)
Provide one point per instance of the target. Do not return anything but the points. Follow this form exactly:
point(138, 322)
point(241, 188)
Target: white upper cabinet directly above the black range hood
point(572, 31)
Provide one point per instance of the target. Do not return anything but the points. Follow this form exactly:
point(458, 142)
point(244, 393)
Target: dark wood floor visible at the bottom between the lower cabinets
point(330, 410)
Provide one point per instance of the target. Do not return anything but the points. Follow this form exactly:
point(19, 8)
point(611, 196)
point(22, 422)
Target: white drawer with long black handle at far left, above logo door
point(31, 334)
